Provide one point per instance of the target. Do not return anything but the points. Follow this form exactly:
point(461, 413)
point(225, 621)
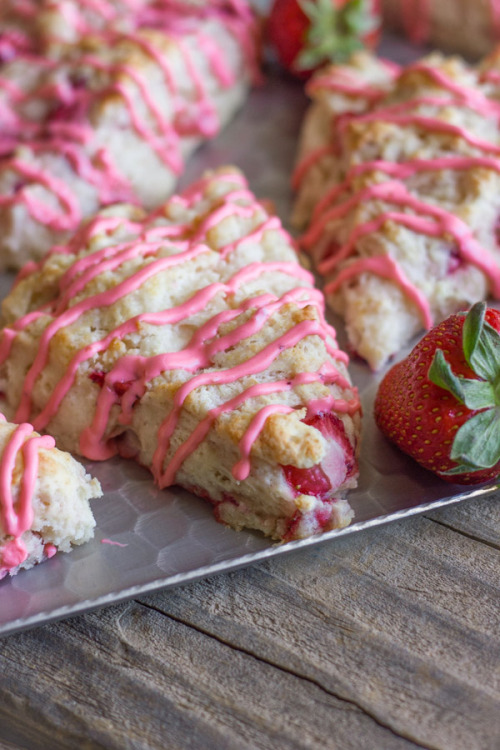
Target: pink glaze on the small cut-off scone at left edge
point(16, 514)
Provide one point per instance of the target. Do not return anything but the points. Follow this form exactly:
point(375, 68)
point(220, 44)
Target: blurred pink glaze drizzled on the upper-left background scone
point(67, 131)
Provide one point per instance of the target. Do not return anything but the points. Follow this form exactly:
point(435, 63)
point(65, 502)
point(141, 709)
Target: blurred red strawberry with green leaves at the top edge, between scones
point(309, 33)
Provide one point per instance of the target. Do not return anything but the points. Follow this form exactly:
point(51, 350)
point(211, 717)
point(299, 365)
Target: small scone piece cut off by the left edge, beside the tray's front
point(44, 499)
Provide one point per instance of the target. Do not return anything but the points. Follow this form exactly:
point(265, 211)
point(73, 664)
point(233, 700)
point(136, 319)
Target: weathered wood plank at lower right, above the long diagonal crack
point(402, 620)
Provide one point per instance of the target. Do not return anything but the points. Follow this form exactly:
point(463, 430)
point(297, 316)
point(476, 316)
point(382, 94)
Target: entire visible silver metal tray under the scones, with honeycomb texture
point(148, 539)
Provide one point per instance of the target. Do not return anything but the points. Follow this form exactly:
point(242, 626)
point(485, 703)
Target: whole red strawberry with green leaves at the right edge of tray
point(441, 404)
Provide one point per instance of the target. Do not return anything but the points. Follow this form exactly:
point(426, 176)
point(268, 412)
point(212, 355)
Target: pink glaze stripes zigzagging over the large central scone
point(127, 380)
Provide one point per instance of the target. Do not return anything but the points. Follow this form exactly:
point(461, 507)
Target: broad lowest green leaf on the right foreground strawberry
point(477, 442)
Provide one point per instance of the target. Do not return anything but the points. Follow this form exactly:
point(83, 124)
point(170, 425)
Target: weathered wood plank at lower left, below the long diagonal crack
point(158, 683)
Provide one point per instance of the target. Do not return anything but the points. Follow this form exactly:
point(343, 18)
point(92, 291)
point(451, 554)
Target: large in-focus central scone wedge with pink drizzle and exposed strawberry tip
point(192, 340)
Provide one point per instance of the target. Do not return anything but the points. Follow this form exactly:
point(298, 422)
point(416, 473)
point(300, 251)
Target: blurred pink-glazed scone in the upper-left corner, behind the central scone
point(111, 115)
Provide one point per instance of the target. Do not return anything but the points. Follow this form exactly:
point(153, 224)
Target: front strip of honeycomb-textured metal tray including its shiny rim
point(169, 537)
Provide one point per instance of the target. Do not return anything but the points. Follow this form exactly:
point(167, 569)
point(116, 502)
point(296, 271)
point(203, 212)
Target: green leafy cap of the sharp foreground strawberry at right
point(477, 443)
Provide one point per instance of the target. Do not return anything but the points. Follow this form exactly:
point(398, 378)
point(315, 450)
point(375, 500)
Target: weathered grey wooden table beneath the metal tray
point(386, 639)
